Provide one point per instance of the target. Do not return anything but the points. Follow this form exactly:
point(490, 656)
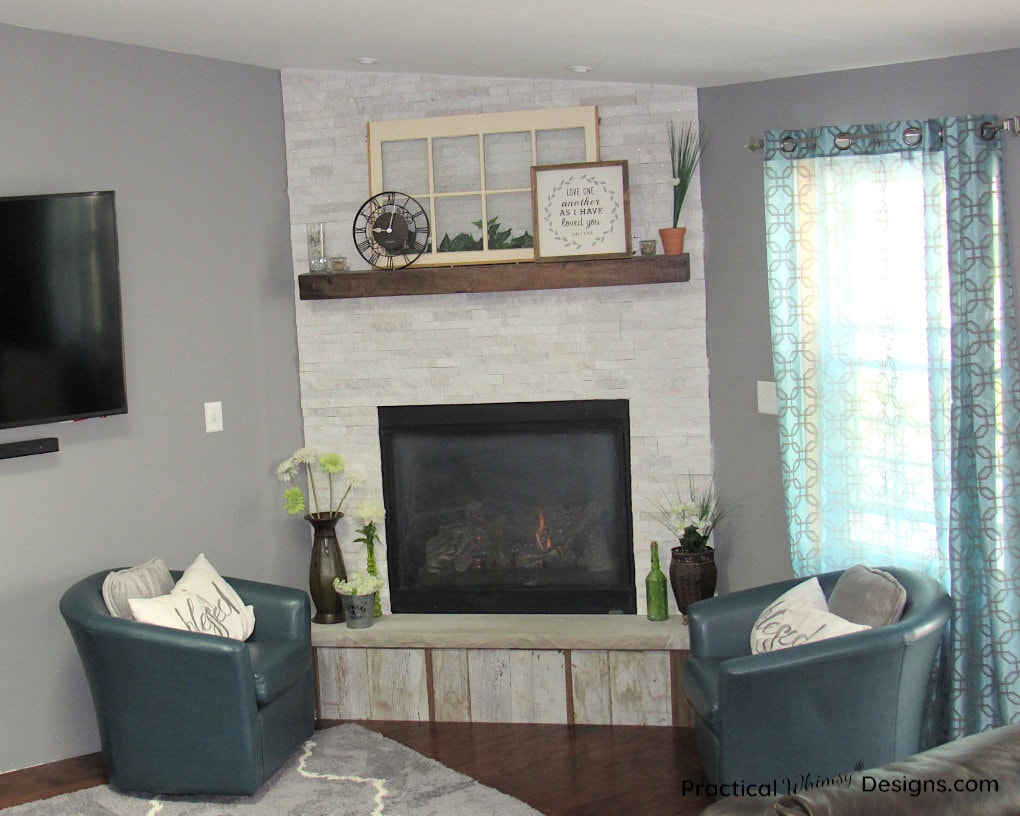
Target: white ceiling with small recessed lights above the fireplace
point(697, 43)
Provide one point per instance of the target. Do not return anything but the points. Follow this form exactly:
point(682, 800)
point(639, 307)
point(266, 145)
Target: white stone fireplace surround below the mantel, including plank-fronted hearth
point(643, 344)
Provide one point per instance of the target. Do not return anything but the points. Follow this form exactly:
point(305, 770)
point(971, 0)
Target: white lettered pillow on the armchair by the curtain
point(798, 617)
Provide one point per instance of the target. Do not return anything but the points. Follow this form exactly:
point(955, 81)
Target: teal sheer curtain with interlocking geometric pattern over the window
point(897, 372)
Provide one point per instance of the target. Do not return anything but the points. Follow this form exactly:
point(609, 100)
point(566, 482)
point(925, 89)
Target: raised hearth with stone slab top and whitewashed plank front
point(575, 670)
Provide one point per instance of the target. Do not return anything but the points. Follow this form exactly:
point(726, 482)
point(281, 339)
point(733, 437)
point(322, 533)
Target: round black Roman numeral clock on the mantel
point(391, 231)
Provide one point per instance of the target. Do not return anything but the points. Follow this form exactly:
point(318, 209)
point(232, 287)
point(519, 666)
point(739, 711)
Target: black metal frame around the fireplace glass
point(613, 416)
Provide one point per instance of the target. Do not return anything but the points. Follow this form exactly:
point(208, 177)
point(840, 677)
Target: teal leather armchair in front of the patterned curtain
point(817, 710)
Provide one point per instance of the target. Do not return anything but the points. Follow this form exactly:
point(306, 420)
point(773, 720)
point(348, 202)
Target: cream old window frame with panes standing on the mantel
point(577, 129)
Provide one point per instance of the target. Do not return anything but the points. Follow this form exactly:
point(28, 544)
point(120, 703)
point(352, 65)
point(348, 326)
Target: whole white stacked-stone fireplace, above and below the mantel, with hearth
point(644, 344)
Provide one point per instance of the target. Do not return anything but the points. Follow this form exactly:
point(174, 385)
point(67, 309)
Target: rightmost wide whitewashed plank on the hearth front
point(641, 688)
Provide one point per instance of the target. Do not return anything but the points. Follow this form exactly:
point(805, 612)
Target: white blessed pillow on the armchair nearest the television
point(200, 602)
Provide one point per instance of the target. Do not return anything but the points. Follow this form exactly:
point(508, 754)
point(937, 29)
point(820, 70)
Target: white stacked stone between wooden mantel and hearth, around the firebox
point(643, 344)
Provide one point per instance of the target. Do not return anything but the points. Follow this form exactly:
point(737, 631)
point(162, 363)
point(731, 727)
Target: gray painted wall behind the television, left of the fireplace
point(195, 150)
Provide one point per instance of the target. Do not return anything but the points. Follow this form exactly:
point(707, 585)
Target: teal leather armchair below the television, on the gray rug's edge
point(181, 712)
